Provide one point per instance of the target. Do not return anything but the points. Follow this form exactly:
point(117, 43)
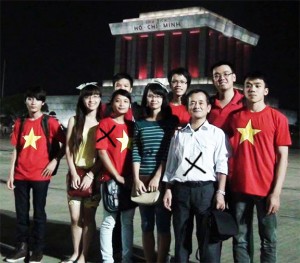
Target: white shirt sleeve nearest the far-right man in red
point(222, 152)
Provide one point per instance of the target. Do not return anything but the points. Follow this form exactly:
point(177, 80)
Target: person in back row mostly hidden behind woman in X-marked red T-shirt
point(124, 81)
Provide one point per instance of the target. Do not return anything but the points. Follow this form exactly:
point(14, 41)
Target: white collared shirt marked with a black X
point(197, 155)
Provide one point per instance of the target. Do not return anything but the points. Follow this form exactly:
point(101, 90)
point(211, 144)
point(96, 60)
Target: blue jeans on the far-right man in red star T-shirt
point(243, 206)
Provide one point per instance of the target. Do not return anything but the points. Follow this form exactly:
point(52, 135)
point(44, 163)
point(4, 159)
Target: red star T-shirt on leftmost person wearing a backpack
point(33, 156)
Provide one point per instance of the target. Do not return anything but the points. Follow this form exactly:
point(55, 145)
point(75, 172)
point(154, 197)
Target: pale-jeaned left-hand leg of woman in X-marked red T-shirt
point(106, 230)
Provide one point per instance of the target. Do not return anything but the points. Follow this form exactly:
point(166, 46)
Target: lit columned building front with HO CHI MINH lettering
point(149, 46)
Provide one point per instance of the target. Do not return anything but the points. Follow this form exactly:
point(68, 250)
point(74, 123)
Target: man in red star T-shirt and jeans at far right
point(260, 137)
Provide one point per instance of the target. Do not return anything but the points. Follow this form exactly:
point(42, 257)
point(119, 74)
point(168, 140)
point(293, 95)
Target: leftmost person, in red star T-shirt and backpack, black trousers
point(31, 168)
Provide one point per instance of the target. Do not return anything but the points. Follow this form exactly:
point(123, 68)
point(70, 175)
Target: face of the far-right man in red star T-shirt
point(255, 90)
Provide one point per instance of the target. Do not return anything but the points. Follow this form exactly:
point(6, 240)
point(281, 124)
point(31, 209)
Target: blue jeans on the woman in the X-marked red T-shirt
point(106, 233)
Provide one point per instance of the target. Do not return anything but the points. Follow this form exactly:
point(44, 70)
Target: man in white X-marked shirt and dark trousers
point(196, 167)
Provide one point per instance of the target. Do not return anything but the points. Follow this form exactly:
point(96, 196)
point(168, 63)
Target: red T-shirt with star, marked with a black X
point(116, 139)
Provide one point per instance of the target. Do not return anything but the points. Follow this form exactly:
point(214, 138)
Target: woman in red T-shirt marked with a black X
point(113, 143)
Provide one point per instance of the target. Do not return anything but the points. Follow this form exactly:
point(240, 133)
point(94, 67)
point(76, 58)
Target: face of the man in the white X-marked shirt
point(198, 106)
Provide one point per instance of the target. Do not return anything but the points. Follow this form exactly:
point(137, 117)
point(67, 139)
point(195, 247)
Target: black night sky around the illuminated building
point(61, 44)
